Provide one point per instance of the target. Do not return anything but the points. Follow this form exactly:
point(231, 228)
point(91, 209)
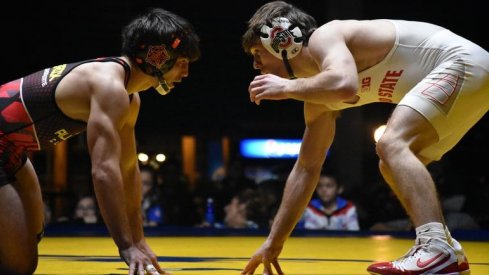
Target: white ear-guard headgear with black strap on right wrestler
point(283, 40)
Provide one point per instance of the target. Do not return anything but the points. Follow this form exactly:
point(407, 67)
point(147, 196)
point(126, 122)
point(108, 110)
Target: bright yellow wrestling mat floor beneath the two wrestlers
point(228, 255)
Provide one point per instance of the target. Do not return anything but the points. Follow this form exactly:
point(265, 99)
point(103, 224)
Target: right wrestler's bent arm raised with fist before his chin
point(330, 72)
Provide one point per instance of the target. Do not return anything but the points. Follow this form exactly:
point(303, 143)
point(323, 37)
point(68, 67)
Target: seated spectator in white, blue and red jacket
point(328, 210)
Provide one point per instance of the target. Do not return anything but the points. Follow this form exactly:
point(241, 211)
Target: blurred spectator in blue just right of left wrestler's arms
point(150, 204)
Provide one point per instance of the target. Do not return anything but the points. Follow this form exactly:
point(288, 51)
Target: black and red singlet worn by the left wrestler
point(31, 120)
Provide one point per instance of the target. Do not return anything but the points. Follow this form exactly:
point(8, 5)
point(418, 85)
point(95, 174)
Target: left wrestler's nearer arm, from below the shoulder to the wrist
point(108, 112)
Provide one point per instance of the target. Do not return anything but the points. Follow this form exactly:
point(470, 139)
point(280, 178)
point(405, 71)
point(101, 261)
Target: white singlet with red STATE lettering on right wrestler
point(439, 74)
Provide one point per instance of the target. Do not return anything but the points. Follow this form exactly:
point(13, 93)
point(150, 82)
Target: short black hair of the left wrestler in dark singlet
point(156, 27)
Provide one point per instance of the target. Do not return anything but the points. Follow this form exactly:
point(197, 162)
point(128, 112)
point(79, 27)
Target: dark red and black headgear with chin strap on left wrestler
point(156, 60)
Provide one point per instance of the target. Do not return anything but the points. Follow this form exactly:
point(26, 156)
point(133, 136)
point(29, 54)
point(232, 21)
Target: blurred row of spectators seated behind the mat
point(235, 200)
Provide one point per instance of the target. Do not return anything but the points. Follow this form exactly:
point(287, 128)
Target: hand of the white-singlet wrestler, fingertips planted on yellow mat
point(268, 255)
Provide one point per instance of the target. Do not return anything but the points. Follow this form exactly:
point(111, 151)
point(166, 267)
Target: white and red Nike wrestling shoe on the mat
point(435, 257)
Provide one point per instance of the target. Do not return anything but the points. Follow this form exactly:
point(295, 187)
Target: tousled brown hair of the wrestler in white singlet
point(264, 15)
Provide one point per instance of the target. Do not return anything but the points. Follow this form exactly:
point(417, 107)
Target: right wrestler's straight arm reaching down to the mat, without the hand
point(300, 185)
